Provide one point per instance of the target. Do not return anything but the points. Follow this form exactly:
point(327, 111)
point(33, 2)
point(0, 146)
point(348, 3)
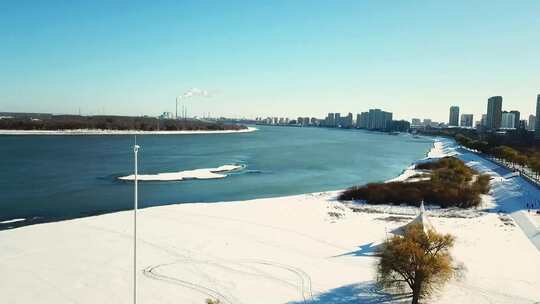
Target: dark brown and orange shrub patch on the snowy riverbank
point(447, 182)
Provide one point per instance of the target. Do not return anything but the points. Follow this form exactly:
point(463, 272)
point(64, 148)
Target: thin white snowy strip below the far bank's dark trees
point(118, 132)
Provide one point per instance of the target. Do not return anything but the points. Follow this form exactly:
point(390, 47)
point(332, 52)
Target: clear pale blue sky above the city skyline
point(286, 58)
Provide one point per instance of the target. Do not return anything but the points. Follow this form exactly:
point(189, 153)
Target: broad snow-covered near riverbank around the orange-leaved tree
point(299, 249)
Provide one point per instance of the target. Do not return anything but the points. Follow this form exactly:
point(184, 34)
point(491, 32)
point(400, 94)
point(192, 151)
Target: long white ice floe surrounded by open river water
point(207, 173)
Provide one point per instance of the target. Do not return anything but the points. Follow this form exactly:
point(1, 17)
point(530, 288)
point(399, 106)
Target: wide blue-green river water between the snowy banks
point(50, 178)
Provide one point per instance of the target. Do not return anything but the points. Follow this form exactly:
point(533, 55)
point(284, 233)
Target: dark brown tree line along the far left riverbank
point(72, 122)
